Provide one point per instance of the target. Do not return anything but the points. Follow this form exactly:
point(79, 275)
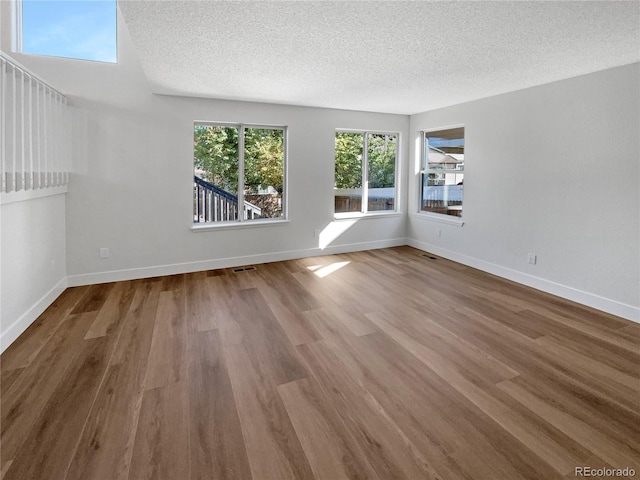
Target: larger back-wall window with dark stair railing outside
point(239, 173)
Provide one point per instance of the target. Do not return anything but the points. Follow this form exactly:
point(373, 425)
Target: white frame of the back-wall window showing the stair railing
point(241, 221)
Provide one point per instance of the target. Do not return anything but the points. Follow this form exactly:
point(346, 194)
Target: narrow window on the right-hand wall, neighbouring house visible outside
point(442, 173)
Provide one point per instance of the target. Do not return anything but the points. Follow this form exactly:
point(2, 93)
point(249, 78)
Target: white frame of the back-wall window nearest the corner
point(364, 204)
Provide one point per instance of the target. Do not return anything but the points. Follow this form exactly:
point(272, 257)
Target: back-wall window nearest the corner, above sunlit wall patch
point(365, 168)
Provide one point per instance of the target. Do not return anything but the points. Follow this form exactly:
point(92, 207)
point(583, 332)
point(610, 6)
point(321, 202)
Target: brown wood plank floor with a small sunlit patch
point(372, 365)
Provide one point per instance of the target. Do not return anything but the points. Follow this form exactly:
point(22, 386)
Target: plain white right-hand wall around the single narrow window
point(552, 170)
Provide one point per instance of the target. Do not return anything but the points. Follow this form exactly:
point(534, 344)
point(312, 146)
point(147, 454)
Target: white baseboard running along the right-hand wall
point(585, 298)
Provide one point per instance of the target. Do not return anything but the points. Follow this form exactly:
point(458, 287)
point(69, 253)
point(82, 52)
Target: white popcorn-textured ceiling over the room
point(394, 56)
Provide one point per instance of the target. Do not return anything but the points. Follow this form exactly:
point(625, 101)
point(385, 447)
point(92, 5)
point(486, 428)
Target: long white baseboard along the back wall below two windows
point(176, 268)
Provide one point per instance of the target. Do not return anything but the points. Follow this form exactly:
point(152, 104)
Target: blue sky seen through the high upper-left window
point(83, 29)
